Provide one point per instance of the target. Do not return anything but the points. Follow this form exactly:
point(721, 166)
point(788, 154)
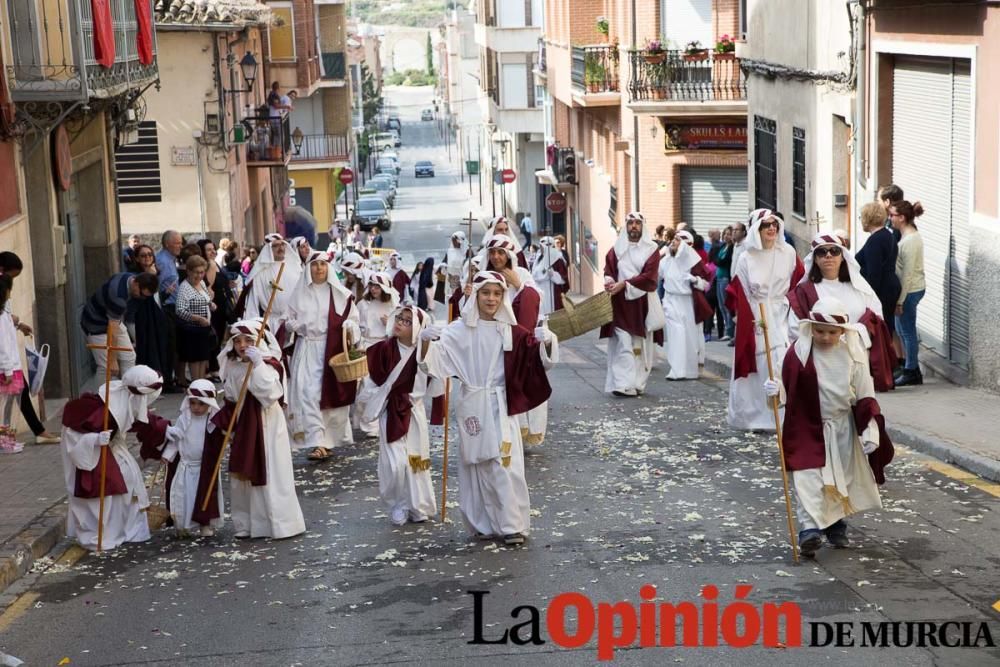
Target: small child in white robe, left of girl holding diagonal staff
point(186, 439)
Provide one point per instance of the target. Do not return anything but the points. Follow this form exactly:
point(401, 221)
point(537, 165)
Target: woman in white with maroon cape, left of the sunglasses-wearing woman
point(765, 273)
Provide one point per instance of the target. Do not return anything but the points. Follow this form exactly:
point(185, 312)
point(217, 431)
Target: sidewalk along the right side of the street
point(955, 424)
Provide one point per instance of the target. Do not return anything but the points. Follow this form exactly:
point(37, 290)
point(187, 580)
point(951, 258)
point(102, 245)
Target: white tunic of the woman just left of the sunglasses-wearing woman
point(766, 277)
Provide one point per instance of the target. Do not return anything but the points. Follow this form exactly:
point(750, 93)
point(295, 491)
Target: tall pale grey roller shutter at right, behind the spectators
point(930, 153)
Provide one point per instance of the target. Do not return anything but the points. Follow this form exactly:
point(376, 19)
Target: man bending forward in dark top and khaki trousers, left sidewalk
point(107, 306)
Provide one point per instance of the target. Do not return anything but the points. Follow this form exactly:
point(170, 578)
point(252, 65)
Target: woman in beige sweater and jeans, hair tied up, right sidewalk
point(910, 269)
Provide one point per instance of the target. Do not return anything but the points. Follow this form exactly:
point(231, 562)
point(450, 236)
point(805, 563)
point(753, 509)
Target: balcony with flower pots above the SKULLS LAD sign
point(709, 84)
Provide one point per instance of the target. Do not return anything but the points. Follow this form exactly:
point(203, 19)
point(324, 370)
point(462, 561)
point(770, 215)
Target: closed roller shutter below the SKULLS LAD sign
point(713, 197)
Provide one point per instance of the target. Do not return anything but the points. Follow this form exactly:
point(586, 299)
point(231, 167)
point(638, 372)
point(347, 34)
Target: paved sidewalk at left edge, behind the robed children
point(33, 498)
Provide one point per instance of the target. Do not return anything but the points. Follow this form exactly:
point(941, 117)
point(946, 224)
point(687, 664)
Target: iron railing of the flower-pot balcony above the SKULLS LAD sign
point(676, 76)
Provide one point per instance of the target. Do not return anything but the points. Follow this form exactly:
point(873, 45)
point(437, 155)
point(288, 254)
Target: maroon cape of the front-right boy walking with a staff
point(802, 433)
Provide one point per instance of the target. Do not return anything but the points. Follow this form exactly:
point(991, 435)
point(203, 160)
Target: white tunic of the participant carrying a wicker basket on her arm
point(310, 425)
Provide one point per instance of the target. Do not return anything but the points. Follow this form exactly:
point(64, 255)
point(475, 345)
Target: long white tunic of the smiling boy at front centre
point(493, 496)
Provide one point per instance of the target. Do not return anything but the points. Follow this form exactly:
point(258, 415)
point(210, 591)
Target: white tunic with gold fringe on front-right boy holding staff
point(845, 484)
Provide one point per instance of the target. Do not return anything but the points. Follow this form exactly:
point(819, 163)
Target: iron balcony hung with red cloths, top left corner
point(52, 47)
